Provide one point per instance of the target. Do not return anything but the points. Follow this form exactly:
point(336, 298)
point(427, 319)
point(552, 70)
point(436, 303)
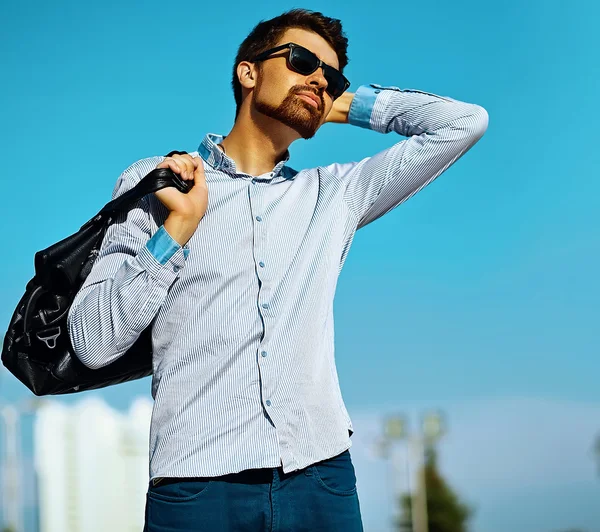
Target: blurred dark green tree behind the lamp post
point(445, 512)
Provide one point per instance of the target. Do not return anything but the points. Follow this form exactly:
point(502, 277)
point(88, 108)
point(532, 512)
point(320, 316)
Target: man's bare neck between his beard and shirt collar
point(257, 143)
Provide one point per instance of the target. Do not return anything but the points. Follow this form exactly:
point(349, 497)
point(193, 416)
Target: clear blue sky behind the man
point(480, 291)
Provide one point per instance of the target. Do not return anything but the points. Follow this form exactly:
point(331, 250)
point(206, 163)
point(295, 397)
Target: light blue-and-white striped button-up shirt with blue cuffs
point(242, 315)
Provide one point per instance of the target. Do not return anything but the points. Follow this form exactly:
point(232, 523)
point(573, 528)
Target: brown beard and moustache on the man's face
point(295, 113)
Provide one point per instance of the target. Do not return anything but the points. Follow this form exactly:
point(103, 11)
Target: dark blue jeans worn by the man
point(320, 498)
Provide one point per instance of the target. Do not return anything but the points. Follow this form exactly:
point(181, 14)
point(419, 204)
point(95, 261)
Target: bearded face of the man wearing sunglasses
point(278, 90)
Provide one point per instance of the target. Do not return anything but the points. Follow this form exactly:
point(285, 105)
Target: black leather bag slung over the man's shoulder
point(37, 348)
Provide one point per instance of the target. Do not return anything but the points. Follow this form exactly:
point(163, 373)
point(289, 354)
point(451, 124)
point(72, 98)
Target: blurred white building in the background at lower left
point(92, 465)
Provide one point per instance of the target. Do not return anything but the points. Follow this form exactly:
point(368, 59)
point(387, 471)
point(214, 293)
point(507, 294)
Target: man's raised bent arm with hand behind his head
point(439, 129)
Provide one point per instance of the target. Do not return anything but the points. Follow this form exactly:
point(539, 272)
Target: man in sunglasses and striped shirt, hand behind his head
point(237, 279)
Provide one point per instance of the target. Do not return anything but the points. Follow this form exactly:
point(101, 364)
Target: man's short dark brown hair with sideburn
point(267, 32)
